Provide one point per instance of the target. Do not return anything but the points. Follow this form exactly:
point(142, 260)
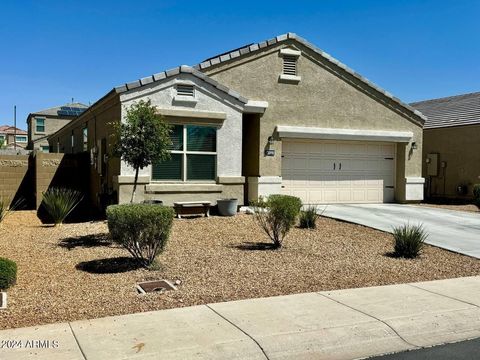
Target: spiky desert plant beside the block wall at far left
point(60, 202)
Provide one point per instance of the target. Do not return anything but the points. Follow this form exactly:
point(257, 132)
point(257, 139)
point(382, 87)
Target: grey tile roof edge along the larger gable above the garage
point(281, 38)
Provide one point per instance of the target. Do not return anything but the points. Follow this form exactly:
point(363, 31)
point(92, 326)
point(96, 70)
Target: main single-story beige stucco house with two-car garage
point(280, 116)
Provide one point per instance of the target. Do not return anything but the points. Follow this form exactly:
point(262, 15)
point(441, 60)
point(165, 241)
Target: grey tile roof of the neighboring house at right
point(450, 111)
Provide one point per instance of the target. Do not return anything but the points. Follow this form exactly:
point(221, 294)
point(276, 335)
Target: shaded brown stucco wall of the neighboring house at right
point(459, 147)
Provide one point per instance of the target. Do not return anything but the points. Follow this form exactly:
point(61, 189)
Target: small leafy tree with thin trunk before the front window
point(144, 138)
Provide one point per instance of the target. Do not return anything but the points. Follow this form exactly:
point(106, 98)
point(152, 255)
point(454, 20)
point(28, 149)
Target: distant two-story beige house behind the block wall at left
point(45, 122)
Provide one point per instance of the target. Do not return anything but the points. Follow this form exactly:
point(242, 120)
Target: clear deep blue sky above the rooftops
point(52, 51)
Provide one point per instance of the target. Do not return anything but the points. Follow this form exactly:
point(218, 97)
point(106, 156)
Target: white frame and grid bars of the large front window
point(184, 152)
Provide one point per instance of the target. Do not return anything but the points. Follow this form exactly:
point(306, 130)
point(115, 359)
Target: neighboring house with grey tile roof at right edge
point(451, 144)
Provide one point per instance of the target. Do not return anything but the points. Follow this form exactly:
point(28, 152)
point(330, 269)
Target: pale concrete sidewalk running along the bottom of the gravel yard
point(342, 324)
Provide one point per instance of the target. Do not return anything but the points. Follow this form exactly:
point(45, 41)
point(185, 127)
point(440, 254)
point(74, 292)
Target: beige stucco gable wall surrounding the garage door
point(322, 98)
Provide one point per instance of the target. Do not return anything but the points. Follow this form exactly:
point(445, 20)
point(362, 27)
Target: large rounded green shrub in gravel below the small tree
point(142, 229)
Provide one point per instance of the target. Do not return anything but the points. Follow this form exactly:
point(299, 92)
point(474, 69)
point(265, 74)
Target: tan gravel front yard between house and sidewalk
point(65, 273)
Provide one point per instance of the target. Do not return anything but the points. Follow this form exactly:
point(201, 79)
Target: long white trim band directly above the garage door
point(300, 132)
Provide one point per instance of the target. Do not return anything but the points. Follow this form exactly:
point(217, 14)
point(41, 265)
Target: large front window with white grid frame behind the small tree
point(193, 155)
